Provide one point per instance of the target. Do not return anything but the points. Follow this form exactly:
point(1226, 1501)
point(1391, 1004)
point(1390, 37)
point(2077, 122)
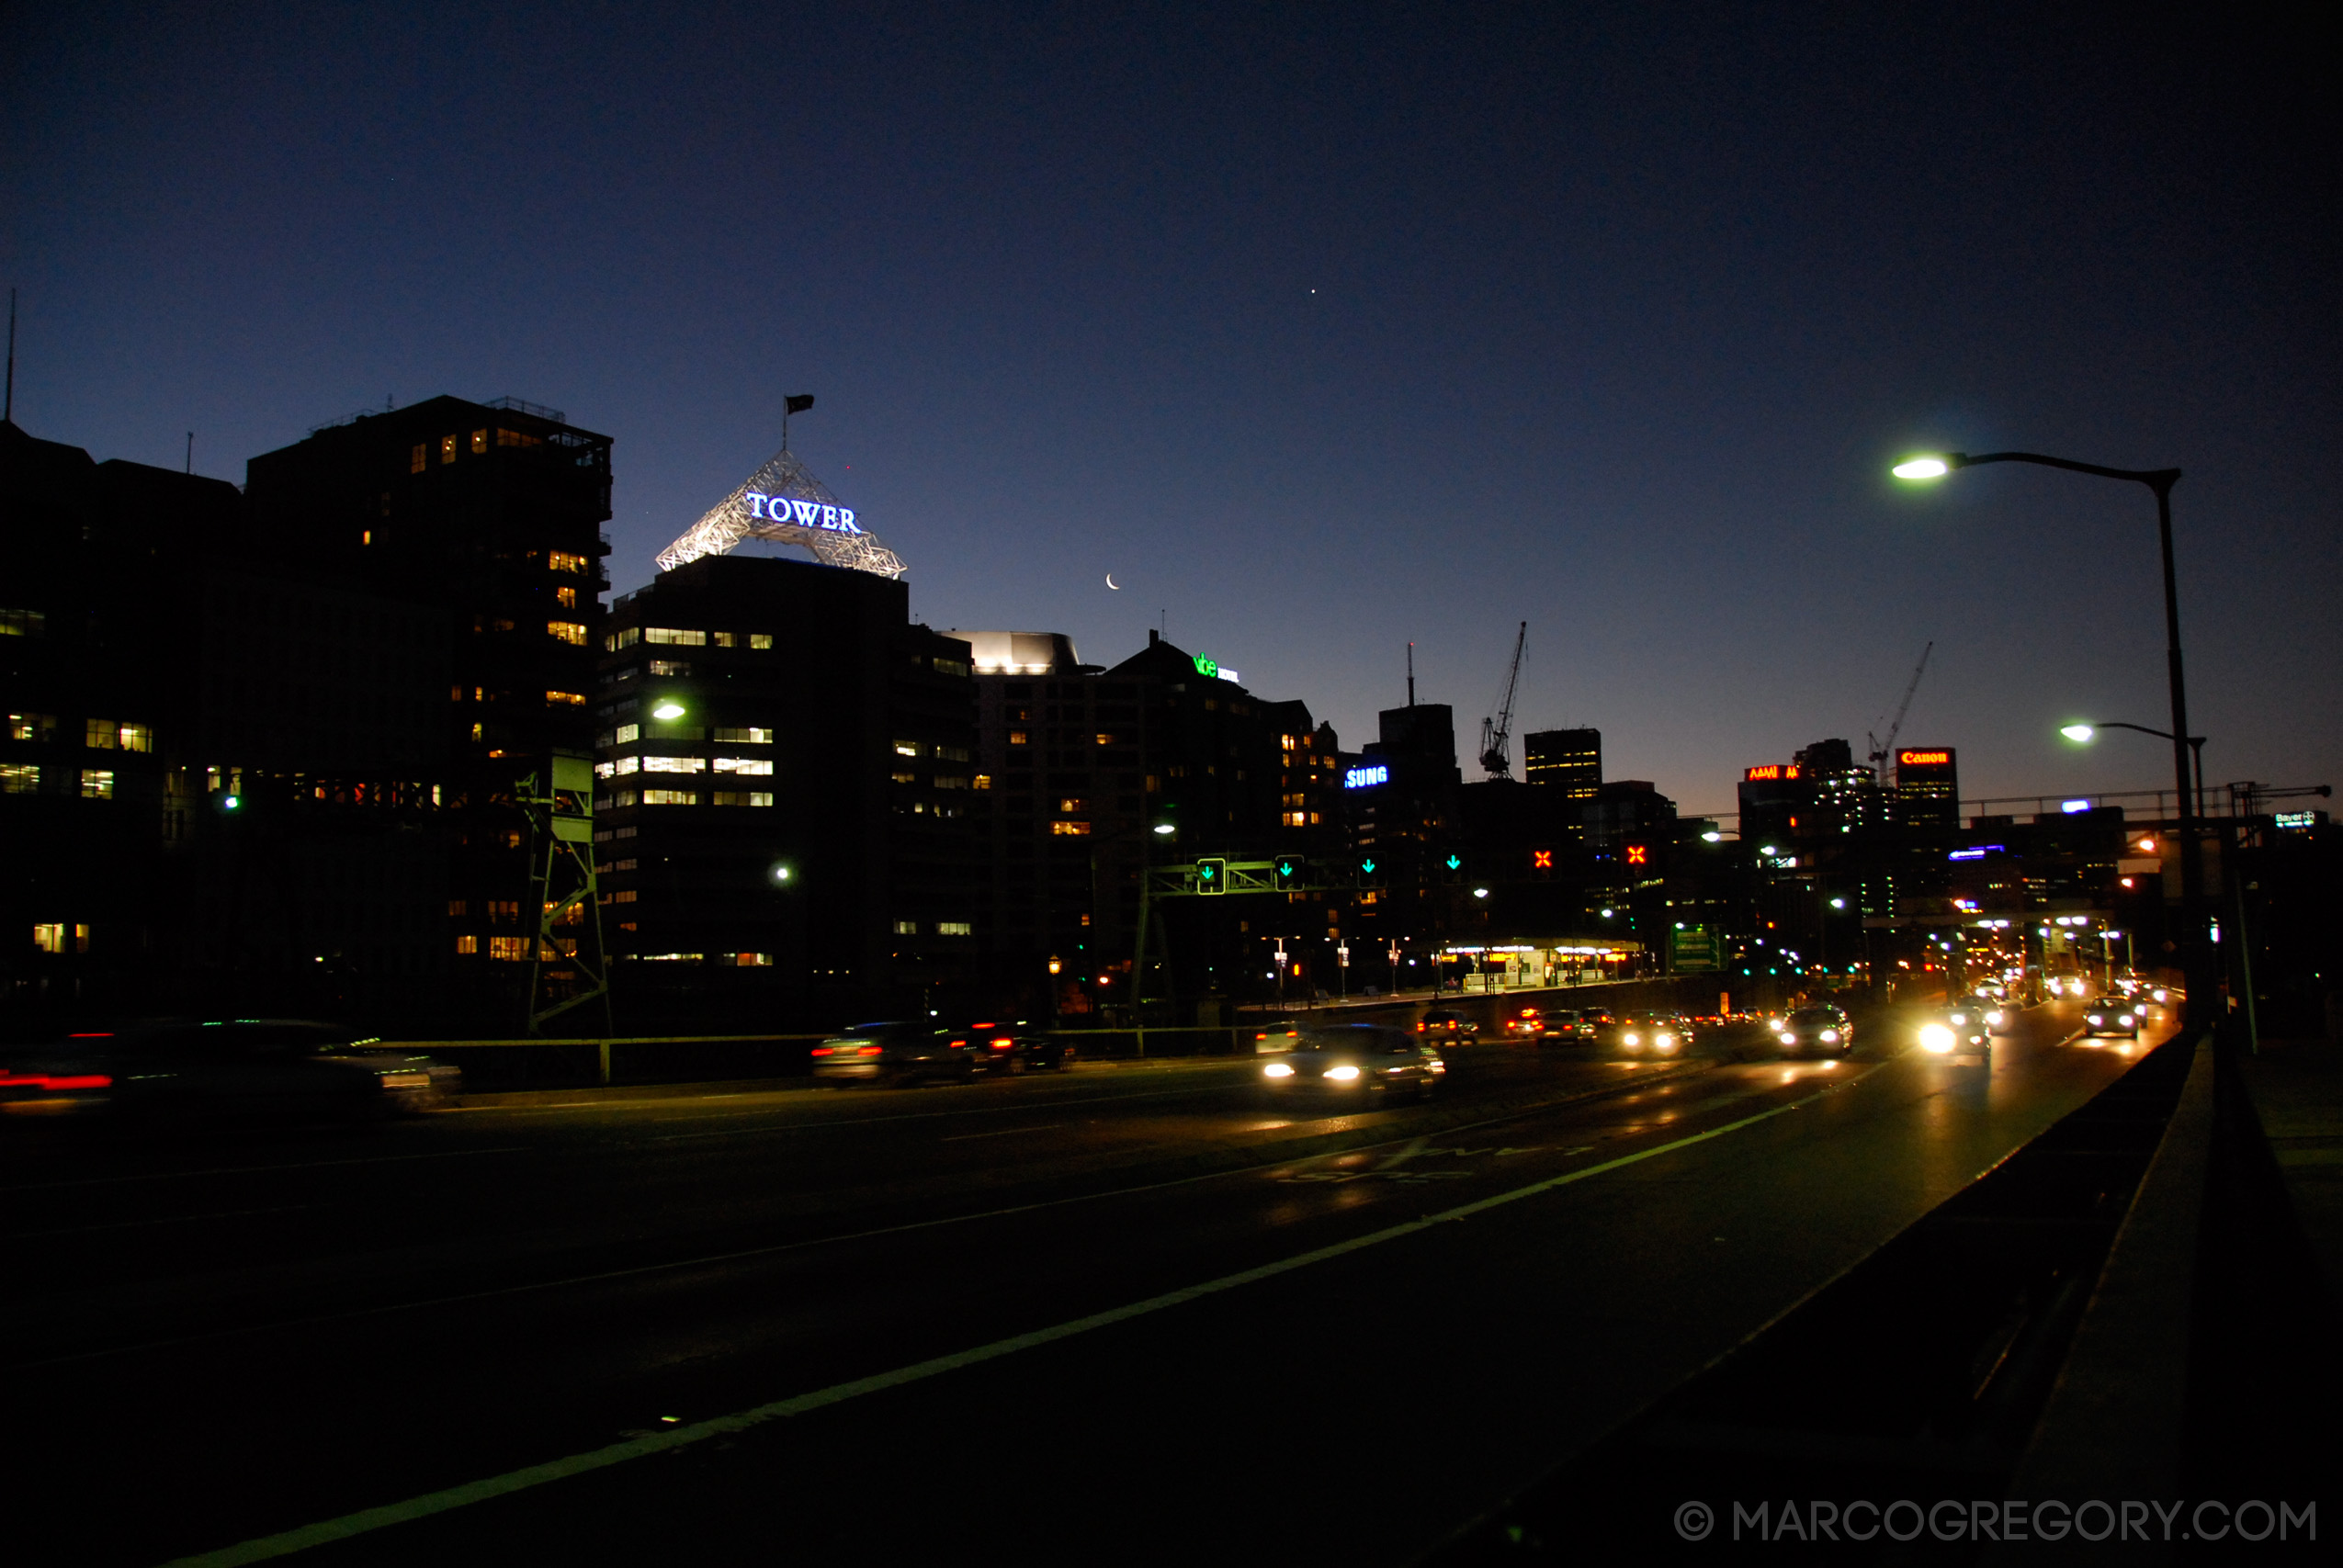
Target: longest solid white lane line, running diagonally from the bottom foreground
point(840, 1393)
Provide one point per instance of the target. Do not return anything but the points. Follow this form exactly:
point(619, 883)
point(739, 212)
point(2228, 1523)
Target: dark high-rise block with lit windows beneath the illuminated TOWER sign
point(784, 782)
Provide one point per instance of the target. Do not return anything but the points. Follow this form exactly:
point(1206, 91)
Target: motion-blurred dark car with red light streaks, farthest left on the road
point(224, 1070)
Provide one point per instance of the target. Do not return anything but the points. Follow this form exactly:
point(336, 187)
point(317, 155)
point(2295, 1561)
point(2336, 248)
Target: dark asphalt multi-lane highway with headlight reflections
point(1130, 1314)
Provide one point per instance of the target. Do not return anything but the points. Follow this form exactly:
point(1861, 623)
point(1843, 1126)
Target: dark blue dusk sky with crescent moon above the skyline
point(1325, 329)
